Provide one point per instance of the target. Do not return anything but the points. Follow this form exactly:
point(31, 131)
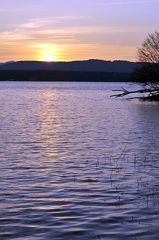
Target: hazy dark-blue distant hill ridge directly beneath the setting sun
point(84, 66)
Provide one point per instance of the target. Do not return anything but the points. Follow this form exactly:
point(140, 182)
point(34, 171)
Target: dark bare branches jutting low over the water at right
point(126, 92)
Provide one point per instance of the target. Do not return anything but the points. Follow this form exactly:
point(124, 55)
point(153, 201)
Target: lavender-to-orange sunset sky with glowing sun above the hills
point(68, 30)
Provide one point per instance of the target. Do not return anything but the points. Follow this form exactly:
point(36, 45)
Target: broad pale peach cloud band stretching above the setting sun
point(31, 34)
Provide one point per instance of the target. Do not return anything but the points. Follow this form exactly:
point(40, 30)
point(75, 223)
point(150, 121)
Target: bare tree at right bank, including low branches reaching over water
point(147, 72)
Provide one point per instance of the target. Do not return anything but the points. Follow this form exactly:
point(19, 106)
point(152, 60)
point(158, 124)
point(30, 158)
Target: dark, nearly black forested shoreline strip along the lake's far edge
point(45, 75)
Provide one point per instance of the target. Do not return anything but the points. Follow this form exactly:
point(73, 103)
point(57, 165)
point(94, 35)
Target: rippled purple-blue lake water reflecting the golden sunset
point(77, 164)
